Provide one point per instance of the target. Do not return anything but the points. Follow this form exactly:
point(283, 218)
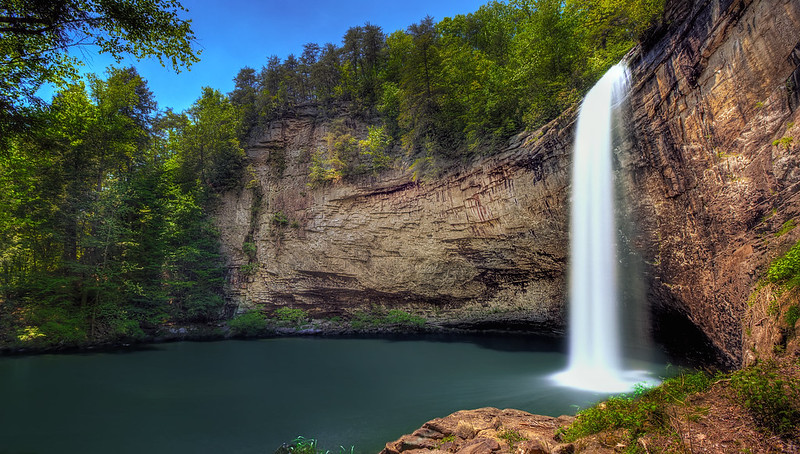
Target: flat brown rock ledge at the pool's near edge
point(485, 431)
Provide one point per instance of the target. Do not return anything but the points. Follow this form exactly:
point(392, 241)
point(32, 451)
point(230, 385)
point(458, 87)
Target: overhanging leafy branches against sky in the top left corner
point(35, 36)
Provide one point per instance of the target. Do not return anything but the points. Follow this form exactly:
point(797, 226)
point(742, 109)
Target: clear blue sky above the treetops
point(237, 33)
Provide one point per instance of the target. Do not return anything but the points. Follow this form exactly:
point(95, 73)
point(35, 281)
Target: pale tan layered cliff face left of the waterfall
point(481, 243)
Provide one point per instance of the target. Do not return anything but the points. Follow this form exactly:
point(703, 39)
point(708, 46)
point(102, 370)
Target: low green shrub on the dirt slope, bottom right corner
point(773, 401)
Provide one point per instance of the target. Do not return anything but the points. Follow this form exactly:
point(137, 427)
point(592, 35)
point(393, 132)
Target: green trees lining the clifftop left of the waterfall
point(447, 90)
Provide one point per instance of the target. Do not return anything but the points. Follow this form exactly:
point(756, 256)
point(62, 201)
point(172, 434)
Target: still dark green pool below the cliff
point(251, 396)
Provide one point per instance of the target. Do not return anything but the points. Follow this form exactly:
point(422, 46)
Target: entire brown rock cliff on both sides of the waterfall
point(708, 173)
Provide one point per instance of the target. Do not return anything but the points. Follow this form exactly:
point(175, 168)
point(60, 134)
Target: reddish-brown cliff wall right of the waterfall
point(711, 189)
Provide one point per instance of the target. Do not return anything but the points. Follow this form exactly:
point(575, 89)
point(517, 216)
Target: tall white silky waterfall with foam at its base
point(595, 345)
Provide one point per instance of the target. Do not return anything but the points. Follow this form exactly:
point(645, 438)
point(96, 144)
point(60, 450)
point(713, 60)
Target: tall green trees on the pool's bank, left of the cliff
point(102, 237)
